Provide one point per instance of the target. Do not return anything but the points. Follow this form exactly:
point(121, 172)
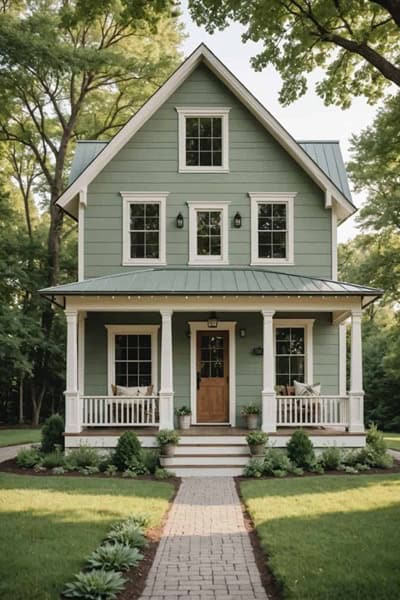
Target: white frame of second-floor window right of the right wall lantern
point(257, 198)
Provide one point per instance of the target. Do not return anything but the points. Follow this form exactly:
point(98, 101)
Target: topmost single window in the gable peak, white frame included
point(203, 139)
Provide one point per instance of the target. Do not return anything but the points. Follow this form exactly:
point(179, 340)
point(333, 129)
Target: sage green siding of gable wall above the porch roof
point(149, 162)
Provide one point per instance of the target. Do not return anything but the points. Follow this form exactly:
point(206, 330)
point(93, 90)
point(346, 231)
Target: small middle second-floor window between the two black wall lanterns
point(208, 233)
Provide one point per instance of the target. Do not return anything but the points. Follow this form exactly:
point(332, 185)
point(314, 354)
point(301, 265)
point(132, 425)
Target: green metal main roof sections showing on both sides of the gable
point(326, 154)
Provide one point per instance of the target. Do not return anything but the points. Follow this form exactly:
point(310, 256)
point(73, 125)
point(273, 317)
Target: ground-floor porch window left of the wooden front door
point(132, 355)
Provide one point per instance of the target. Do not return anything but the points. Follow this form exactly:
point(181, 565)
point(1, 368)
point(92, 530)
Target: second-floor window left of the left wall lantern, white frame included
point(143, 228)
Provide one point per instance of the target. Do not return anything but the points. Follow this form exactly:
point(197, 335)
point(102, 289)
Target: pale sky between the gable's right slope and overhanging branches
point(307, 118)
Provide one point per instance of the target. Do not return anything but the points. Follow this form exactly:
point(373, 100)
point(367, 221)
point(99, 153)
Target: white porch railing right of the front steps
point(312, 410)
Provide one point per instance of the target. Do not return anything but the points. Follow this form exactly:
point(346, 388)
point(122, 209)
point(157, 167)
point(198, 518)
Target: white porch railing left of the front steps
point(119, 411)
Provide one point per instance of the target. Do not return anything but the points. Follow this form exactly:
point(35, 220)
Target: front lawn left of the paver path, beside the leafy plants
point(49, 525)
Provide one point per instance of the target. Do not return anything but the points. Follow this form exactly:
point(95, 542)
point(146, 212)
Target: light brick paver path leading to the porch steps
point(205, 551)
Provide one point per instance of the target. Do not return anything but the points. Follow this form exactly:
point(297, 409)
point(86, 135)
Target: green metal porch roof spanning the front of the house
point(201, 280)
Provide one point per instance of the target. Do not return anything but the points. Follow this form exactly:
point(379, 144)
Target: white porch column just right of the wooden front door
point(268, 393)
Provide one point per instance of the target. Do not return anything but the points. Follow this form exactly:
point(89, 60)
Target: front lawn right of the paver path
point(330, 537)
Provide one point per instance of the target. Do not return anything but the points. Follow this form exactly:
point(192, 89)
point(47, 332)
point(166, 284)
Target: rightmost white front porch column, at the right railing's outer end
point(356, 401)
